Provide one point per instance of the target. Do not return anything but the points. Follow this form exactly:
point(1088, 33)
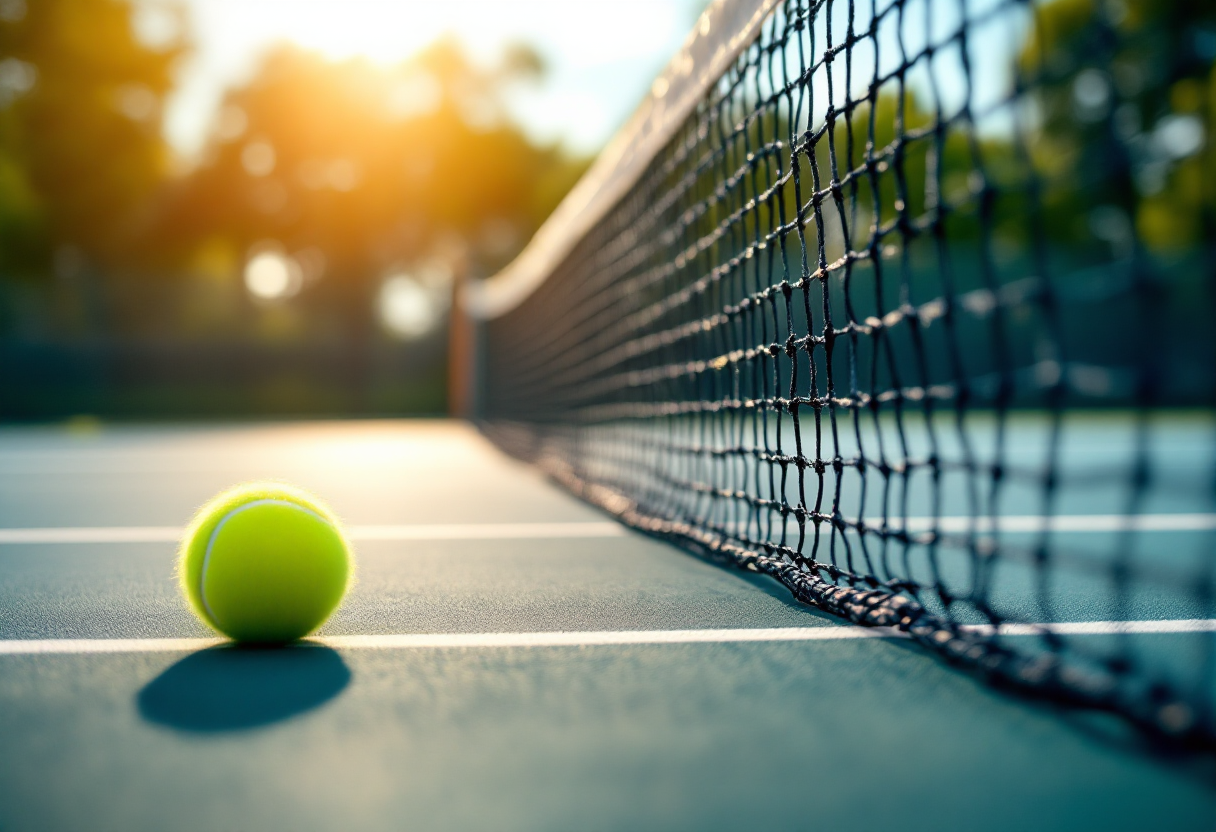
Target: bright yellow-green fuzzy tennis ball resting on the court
point(264, 563)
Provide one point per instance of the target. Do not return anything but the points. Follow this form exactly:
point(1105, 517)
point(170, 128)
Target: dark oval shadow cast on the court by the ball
point(237, 689)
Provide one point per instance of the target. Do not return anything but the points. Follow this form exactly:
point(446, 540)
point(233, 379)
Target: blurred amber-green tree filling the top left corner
point(82, 155)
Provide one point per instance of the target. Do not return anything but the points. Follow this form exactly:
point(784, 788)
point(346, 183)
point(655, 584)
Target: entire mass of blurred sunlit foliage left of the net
point(367, 168)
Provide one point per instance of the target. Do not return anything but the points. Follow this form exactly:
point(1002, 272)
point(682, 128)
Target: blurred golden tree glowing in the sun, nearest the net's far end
point(373, 170)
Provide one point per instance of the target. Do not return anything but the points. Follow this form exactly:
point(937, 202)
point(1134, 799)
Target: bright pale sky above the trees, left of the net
point(601, 55)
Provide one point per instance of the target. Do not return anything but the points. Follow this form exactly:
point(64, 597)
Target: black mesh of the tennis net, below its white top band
point(914, 314)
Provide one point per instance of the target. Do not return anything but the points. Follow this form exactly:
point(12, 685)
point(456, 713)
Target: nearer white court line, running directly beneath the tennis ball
point(592, 639)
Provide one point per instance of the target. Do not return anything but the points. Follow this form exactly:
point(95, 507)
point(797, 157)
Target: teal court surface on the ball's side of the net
point(509, 660)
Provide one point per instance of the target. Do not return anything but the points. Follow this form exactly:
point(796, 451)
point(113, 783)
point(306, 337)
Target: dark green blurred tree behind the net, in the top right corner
point(1128, 119)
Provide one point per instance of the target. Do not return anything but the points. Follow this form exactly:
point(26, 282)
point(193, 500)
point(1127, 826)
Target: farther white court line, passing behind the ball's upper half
point(1083, 524)
